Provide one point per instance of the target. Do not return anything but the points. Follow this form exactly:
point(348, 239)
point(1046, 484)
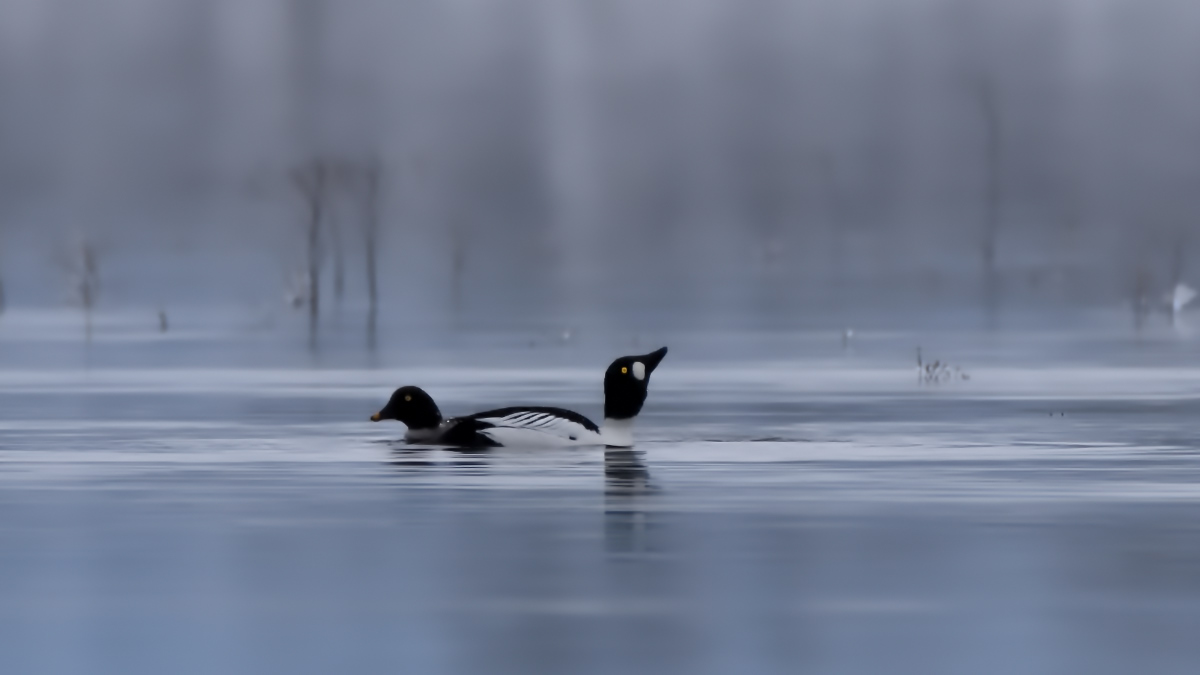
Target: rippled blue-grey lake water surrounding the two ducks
point(790, 507)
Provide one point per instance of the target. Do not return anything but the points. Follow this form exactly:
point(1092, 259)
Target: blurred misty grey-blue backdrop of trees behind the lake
point(793, 160)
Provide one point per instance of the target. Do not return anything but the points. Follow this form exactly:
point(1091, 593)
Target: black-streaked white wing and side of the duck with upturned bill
point(533, 427)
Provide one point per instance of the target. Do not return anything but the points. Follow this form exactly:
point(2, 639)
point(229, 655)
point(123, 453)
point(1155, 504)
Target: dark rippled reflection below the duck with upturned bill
point(627, 491)
